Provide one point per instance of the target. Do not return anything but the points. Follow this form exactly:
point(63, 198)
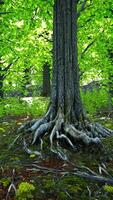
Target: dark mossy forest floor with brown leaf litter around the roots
point(52, 177)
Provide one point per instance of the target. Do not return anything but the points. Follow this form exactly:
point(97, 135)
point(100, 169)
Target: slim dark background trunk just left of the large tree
point(46, 80)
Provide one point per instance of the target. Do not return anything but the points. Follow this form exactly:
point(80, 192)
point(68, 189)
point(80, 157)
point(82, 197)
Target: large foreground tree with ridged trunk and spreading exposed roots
point(65, 120)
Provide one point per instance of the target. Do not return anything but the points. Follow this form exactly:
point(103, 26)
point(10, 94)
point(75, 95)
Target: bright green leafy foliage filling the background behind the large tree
point(27, 35)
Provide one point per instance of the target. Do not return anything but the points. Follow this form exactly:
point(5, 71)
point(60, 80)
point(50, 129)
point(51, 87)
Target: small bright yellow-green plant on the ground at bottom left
point(24, 191)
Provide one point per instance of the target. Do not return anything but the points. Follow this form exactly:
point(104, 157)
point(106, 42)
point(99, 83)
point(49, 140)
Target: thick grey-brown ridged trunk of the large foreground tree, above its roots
point(65, 87)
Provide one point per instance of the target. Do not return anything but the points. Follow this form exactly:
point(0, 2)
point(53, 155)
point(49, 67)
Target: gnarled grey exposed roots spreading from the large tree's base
point(62, 134)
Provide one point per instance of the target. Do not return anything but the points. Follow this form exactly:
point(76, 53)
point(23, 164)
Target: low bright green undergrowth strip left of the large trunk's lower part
point(18, 107)
